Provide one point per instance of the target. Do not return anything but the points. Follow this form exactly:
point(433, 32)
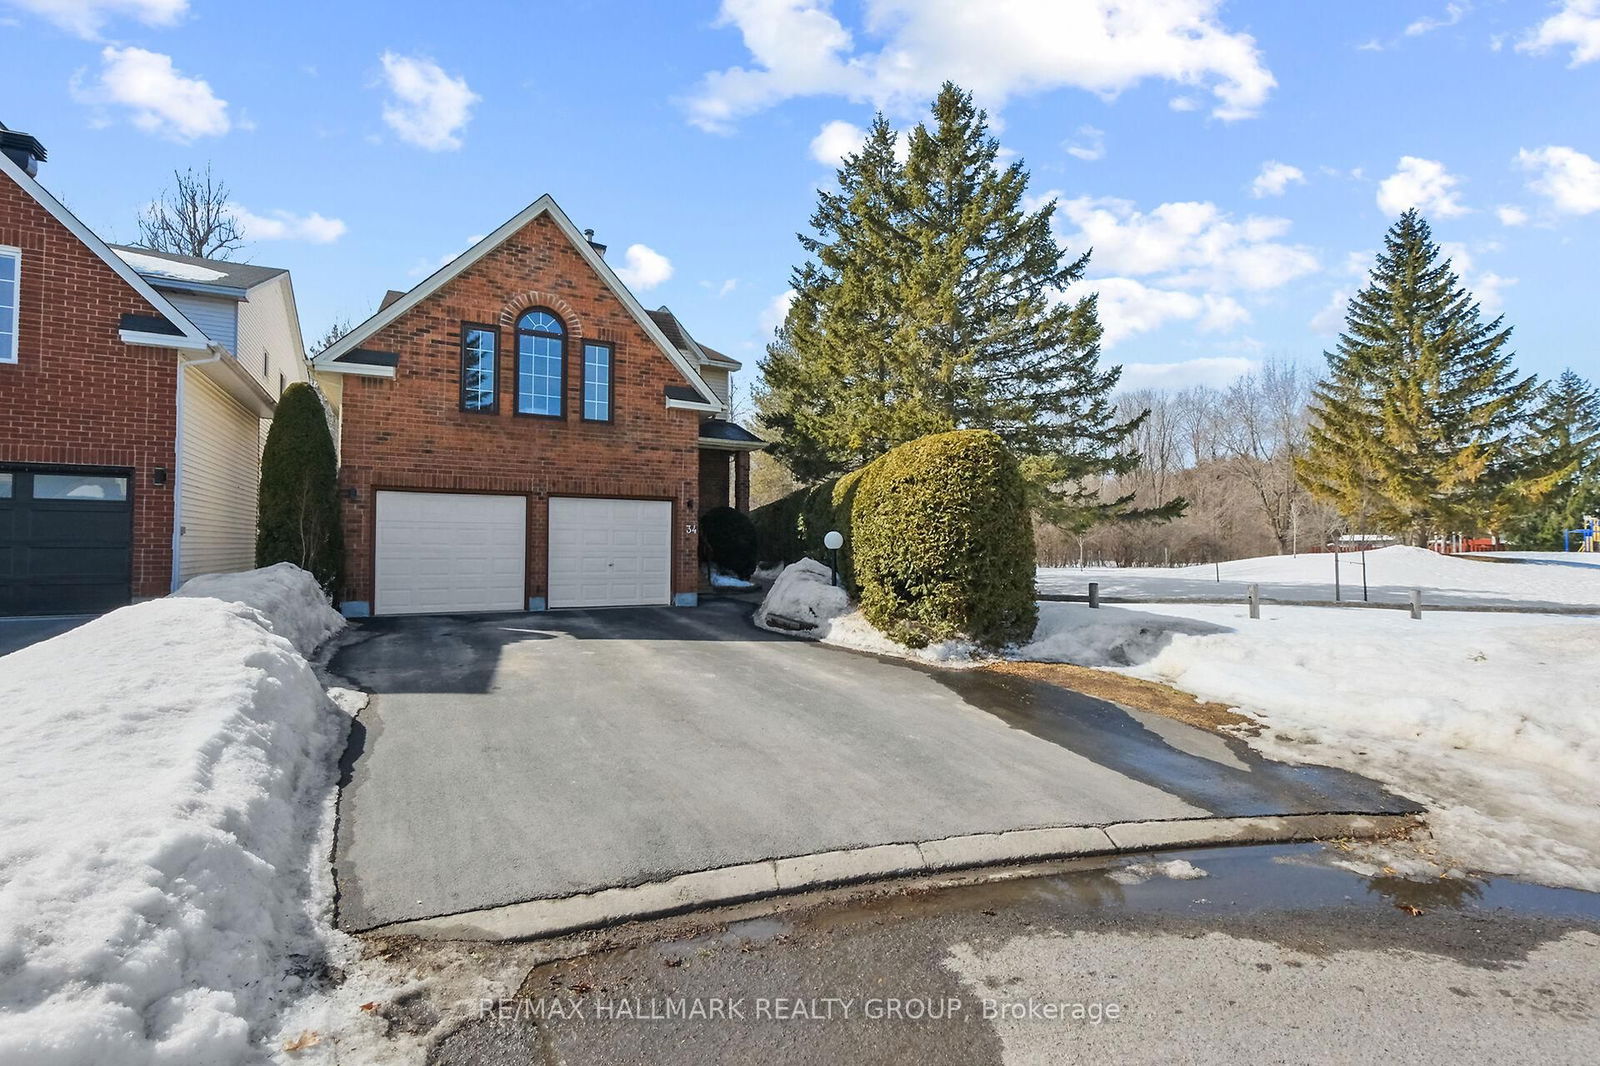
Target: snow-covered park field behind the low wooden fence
point(1391, 575)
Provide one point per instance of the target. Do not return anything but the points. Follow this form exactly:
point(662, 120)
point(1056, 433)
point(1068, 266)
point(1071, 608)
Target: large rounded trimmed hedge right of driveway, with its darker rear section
point(938, 542)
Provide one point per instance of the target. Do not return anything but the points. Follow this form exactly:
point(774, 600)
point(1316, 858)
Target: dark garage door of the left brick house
point(66, 540)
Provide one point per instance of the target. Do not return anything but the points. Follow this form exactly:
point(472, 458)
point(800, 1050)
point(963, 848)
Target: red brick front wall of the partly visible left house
point(78, 395)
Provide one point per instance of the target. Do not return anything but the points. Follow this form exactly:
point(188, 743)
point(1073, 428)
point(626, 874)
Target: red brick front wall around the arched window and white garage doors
point(410, 433)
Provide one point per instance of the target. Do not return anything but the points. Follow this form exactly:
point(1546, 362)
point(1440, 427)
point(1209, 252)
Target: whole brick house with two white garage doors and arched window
point(519, 433)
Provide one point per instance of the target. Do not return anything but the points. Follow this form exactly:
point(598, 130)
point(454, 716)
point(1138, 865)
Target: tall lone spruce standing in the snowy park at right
point(1422, 425)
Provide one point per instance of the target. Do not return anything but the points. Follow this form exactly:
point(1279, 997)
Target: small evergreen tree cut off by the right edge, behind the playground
point(1567, 435)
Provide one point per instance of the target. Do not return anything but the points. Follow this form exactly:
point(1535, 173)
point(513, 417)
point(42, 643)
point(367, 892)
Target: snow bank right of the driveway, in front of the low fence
point(1487, 719)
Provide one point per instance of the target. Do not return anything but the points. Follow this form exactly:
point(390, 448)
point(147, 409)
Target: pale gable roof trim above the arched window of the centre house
point(332, 356)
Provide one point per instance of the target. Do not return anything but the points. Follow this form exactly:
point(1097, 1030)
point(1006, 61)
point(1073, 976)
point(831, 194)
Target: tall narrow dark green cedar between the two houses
point(298, 518)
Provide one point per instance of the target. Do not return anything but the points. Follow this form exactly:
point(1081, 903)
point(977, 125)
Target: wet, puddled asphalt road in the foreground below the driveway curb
point(1274, 956)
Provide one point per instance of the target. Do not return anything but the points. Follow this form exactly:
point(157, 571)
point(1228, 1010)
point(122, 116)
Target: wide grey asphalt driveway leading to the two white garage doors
point(534, 756)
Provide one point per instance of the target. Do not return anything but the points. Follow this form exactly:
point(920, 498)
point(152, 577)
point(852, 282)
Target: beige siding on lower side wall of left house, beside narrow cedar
point(220, 468)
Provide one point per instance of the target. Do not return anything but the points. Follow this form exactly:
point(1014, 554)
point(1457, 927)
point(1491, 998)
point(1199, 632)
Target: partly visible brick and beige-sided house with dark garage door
point(134, 390)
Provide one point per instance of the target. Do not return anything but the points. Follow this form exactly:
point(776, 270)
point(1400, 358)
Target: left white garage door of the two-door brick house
point(444, 553)
